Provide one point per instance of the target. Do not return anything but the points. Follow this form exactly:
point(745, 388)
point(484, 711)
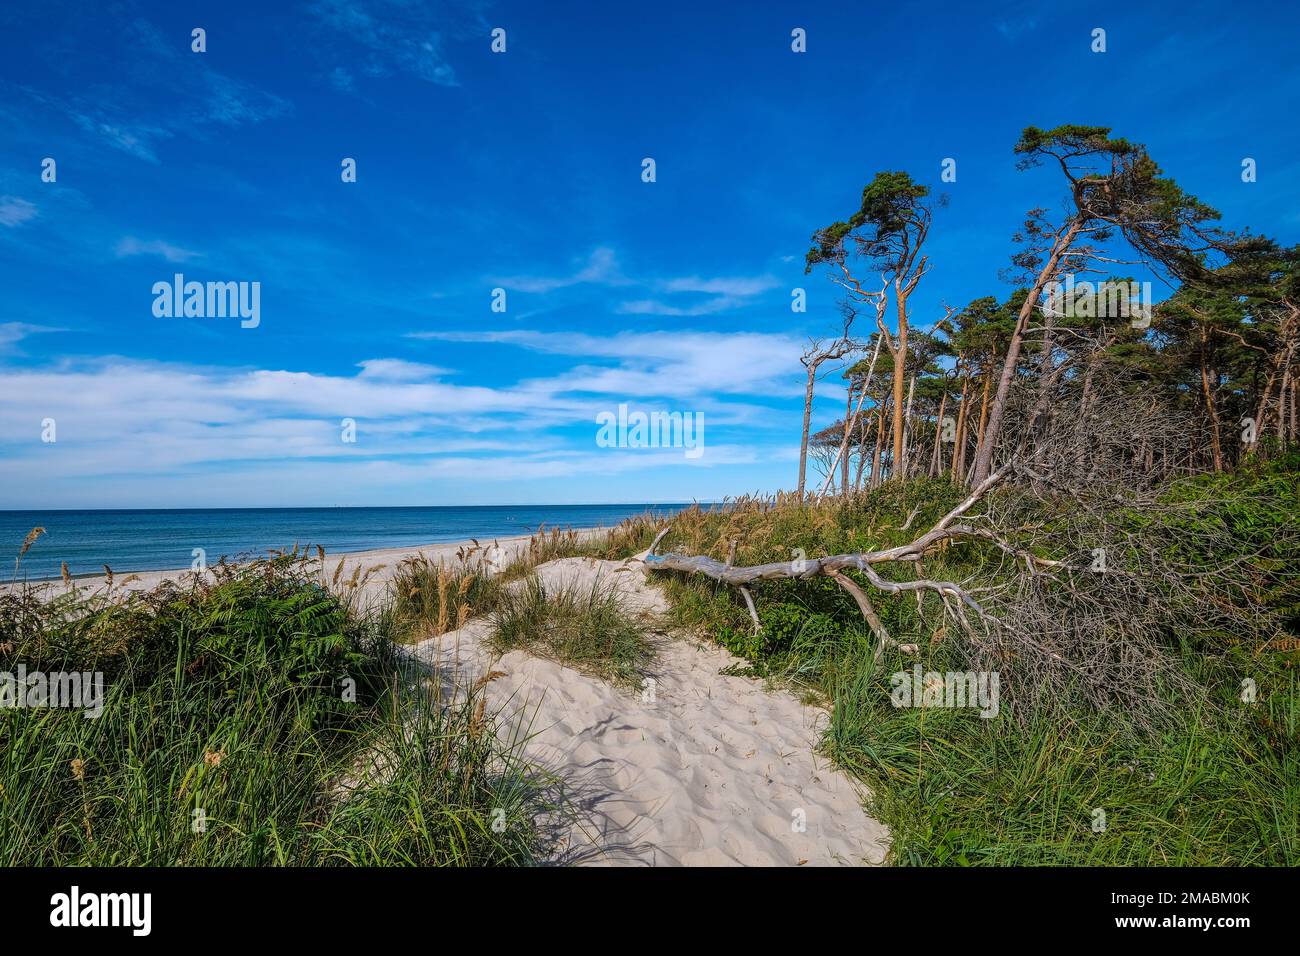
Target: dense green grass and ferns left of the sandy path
point(254, 704)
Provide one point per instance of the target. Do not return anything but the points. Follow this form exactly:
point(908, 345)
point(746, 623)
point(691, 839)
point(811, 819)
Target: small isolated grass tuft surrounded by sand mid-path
point(583, 628)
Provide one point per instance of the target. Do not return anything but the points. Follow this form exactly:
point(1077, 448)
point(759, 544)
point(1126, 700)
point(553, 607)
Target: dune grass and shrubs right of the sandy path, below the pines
point(1181, 725)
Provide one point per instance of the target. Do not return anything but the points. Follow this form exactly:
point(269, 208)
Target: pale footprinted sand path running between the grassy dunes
point(716, 771)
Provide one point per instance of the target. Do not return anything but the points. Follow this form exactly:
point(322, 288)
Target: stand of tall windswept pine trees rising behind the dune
point(1041, 375)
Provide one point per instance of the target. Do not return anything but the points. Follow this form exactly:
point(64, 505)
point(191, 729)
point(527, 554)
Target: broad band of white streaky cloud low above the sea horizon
point(190, 422)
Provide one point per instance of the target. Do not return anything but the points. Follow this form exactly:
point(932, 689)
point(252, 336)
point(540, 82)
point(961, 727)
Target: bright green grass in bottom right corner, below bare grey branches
point(1219, 786)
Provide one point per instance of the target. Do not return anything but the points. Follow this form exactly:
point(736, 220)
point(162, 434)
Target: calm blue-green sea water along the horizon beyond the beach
point(148, 540)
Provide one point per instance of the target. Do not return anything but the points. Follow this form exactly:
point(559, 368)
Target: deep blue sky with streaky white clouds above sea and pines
point(523, 171)
